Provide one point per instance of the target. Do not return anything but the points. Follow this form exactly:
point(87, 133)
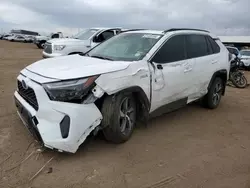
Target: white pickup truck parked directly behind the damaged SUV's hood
point(80, 43)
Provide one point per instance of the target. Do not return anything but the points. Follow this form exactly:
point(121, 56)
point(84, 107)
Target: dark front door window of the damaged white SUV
point(173, 50)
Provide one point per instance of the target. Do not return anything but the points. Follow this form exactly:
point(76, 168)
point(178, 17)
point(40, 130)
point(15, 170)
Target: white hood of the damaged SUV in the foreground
point(74, 66)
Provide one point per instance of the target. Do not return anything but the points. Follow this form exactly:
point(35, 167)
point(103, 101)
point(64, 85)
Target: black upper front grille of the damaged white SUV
point(28, 95)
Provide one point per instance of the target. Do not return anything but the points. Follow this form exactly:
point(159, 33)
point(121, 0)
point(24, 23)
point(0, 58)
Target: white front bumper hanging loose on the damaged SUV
point(45, 124)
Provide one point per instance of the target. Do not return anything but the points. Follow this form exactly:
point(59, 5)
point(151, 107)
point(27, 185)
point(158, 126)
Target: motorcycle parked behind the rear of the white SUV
point(236, 76)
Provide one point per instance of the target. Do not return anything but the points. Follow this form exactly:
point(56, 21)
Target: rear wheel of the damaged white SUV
point(213, 97)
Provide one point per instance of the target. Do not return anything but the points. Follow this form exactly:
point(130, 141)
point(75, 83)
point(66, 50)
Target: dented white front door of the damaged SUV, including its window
point(171, 75)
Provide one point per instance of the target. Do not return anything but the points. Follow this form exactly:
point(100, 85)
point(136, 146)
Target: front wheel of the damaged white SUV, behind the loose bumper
point(119, 124)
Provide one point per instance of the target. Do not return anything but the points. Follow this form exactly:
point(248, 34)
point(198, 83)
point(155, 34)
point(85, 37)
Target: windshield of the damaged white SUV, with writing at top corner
point(126, 46)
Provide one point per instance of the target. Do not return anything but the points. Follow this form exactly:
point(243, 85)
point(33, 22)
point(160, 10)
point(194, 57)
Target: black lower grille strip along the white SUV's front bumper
point(29, 121)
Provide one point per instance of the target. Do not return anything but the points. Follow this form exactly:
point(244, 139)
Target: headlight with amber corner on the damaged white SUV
point(69, 91)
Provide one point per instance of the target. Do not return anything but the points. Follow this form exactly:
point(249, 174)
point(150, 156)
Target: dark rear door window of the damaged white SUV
point(196, 46)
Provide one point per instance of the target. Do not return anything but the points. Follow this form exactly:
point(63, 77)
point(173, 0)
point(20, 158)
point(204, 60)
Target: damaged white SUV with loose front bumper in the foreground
point(130, 77)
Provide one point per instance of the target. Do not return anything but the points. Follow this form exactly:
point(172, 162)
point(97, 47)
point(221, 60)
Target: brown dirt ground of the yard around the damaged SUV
point(192, 147)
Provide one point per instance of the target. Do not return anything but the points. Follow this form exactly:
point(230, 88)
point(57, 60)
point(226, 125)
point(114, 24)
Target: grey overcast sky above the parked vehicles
point(223, 17)
